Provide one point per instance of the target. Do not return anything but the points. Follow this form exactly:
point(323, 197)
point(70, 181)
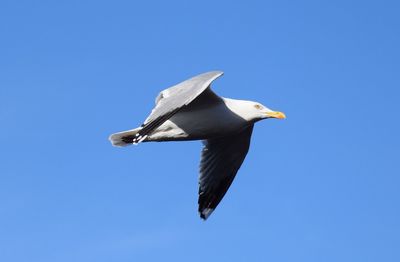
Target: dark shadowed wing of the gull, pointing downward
point(221, 158)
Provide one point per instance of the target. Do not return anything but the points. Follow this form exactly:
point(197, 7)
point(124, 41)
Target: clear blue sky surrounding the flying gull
point(323, 185)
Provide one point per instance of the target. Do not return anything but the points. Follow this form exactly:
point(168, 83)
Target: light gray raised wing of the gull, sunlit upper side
point(173, 99)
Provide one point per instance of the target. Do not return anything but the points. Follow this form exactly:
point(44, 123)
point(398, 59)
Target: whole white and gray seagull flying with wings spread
point(190, 110)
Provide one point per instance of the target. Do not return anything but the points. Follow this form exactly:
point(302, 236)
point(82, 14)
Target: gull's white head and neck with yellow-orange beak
point(253, 111)
